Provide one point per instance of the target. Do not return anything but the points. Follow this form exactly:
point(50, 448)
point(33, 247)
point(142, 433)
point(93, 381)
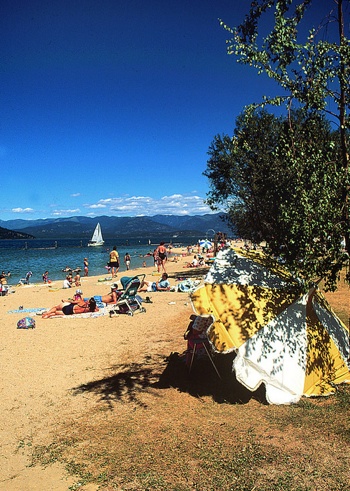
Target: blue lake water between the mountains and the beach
point(39, 255)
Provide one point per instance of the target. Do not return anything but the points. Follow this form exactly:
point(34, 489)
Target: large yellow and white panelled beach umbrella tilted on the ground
point(288, 340)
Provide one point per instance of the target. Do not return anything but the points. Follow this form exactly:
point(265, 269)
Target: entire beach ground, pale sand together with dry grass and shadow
point(106, 403)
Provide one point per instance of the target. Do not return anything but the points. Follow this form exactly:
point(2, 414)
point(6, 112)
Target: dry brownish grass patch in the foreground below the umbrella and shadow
point(208, 446)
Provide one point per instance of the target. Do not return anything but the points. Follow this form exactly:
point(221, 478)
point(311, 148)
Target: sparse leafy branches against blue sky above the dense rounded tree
point(310, 71)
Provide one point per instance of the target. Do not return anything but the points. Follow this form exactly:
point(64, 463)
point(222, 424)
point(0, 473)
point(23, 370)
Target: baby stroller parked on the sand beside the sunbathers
point(128, 301)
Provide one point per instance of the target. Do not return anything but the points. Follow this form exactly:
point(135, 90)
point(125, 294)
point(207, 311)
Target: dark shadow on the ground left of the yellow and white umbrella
point(130, 382)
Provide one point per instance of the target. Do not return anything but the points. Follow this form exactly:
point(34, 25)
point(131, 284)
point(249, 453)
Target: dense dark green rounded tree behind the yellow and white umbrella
point(279, 181)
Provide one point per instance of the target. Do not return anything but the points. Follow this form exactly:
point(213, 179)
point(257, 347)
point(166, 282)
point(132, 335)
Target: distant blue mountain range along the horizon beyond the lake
point(116, 227)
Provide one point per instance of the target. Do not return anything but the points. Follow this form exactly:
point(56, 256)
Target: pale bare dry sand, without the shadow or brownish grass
point(41, 367)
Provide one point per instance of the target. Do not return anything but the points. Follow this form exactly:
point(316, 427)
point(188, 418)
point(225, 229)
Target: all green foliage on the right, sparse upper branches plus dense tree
point(287, 181)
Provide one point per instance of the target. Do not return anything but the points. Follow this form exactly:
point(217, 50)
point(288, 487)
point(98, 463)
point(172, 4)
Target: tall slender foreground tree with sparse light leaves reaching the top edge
point(314, 73)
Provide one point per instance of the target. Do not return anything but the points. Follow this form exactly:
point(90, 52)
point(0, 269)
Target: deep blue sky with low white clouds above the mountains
point(109, 107)
